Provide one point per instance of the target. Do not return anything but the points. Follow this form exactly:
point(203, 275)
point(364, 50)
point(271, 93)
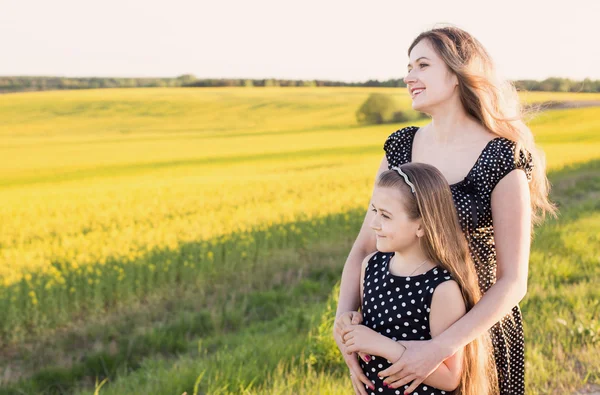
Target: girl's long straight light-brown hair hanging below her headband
point(444, 243)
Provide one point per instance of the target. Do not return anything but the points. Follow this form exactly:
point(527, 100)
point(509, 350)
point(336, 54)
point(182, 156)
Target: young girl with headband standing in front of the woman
point(420, 280)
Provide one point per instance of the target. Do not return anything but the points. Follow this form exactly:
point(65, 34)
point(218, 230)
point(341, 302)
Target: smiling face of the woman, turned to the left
point(429, 81)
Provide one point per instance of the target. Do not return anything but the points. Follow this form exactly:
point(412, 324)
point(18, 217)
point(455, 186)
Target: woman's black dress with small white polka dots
point(472, 199)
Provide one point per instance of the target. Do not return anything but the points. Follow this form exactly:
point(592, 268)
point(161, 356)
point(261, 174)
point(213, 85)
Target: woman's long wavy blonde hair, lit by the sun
point(493, 102)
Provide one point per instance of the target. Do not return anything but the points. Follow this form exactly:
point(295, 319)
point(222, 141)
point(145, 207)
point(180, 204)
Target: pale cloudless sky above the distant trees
point(345, 40)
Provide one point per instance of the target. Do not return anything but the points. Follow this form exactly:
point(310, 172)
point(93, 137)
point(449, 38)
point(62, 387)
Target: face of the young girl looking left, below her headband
point(395, 231)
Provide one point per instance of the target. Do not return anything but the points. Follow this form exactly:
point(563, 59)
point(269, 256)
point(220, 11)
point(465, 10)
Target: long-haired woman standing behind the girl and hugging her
point(478, 142)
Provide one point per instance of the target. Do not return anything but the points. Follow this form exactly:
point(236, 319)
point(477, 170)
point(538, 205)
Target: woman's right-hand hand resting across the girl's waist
point(419, 360)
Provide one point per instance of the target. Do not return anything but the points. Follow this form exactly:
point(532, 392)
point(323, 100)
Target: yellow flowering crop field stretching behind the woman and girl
point(108, 195)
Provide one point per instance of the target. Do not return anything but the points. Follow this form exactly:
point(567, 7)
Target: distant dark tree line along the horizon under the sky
point(25, 83)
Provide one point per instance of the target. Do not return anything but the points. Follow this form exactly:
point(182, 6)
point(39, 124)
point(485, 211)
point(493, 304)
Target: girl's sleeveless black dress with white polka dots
point(397, 307)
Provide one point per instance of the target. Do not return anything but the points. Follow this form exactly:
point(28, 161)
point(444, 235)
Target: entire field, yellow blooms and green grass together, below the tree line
point(170, 237)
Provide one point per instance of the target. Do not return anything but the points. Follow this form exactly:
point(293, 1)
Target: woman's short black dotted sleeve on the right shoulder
point(504, 161)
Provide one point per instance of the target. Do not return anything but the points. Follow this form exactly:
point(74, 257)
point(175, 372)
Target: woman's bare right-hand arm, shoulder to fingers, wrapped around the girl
point(511, 212)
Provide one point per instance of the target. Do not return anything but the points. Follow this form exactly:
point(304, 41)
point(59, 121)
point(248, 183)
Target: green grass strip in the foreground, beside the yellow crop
point(277, 340)
